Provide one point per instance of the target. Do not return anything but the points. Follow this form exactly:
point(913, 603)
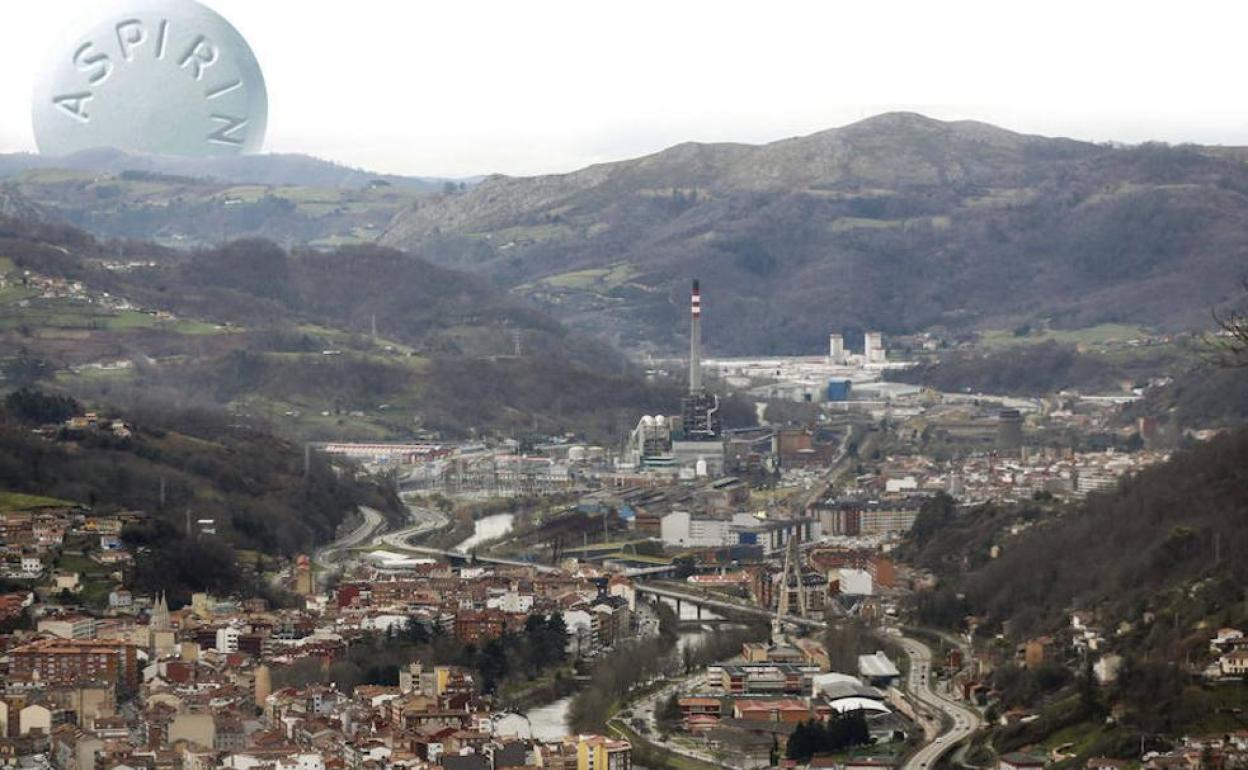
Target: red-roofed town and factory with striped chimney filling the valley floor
point(698, 598)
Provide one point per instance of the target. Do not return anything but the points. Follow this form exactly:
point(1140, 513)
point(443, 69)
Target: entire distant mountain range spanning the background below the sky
point(898, 223)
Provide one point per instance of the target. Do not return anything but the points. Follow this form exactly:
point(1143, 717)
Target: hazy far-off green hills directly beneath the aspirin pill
point(185, 203)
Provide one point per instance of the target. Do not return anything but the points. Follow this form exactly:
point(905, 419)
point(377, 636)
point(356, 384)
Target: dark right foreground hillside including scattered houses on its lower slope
point(1155, 568)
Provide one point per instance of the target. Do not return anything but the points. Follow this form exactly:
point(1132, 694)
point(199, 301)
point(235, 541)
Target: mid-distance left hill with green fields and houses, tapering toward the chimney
point(285, 340)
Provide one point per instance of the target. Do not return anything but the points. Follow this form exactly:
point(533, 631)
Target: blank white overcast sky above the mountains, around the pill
point(455, 88)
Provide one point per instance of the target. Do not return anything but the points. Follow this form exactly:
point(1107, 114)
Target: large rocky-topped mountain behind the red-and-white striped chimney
point(898, 223)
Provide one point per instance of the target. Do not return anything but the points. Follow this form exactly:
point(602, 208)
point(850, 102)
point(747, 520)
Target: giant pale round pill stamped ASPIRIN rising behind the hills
point(157, 77)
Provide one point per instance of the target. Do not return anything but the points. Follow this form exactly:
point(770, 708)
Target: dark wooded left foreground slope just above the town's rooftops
point(173, 469)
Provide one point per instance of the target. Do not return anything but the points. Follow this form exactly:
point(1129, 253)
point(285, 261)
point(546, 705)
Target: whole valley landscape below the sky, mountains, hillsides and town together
point(907, 445)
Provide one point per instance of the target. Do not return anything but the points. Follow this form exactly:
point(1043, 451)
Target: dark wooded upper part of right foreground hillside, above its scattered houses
point(1164, 546)
